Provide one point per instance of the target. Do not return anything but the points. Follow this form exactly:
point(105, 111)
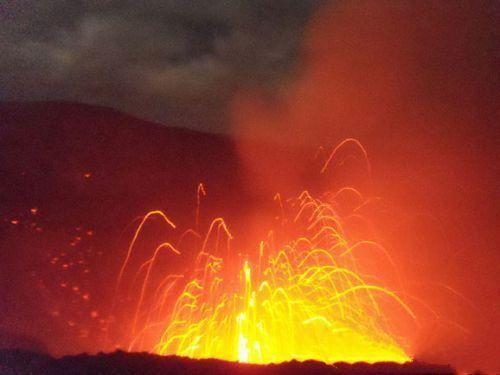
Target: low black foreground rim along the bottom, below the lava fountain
point(119, 362)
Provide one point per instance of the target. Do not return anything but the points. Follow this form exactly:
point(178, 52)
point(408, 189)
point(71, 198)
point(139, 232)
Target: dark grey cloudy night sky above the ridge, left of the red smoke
point(172, 61)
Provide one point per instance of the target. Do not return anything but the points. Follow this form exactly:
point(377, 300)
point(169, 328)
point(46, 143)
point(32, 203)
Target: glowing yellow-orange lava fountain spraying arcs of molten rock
point(298, 295)
